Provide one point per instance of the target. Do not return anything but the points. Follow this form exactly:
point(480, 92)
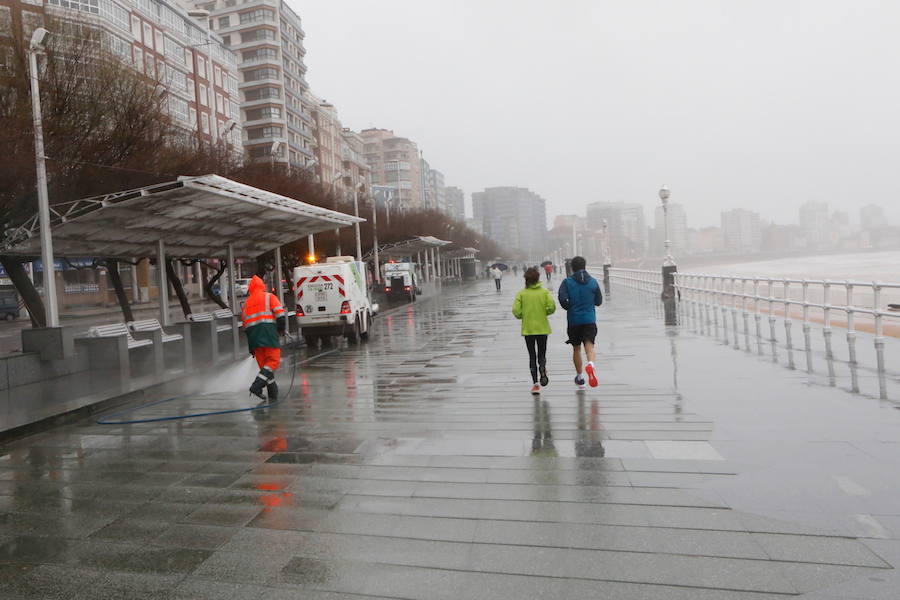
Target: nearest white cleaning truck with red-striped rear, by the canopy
point(332, 299)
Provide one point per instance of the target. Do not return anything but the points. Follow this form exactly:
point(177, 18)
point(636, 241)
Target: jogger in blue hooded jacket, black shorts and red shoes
point(579, 294)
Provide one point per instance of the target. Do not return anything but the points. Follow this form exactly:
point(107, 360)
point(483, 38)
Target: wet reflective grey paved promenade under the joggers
point(418, 466)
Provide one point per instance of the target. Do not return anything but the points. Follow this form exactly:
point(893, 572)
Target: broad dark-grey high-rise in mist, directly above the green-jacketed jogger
point(515, 218)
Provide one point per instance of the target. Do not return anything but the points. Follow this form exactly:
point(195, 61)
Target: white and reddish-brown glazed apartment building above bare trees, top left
point(159, 39)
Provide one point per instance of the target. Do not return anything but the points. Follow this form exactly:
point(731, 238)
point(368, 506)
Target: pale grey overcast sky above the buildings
point(734, 103)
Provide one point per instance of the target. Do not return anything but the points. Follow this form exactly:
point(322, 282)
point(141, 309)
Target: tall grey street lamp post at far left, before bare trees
point(51, 309)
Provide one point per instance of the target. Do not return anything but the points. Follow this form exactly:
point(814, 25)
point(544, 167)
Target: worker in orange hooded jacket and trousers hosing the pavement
point(263, 319)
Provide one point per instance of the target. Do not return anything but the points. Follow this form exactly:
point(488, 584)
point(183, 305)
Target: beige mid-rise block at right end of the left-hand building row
point(395, 162)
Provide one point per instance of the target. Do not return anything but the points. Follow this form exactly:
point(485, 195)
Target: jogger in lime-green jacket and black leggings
point(532, 306)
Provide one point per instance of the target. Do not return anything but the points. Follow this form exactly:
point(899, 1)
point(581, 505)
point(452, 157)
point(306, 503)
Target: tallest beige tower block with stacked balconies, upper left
point(277, 114)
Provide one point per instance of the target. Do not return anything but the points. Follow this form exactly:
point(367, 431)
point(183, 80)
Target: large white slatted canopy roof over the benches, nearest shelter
point(193, 217)
